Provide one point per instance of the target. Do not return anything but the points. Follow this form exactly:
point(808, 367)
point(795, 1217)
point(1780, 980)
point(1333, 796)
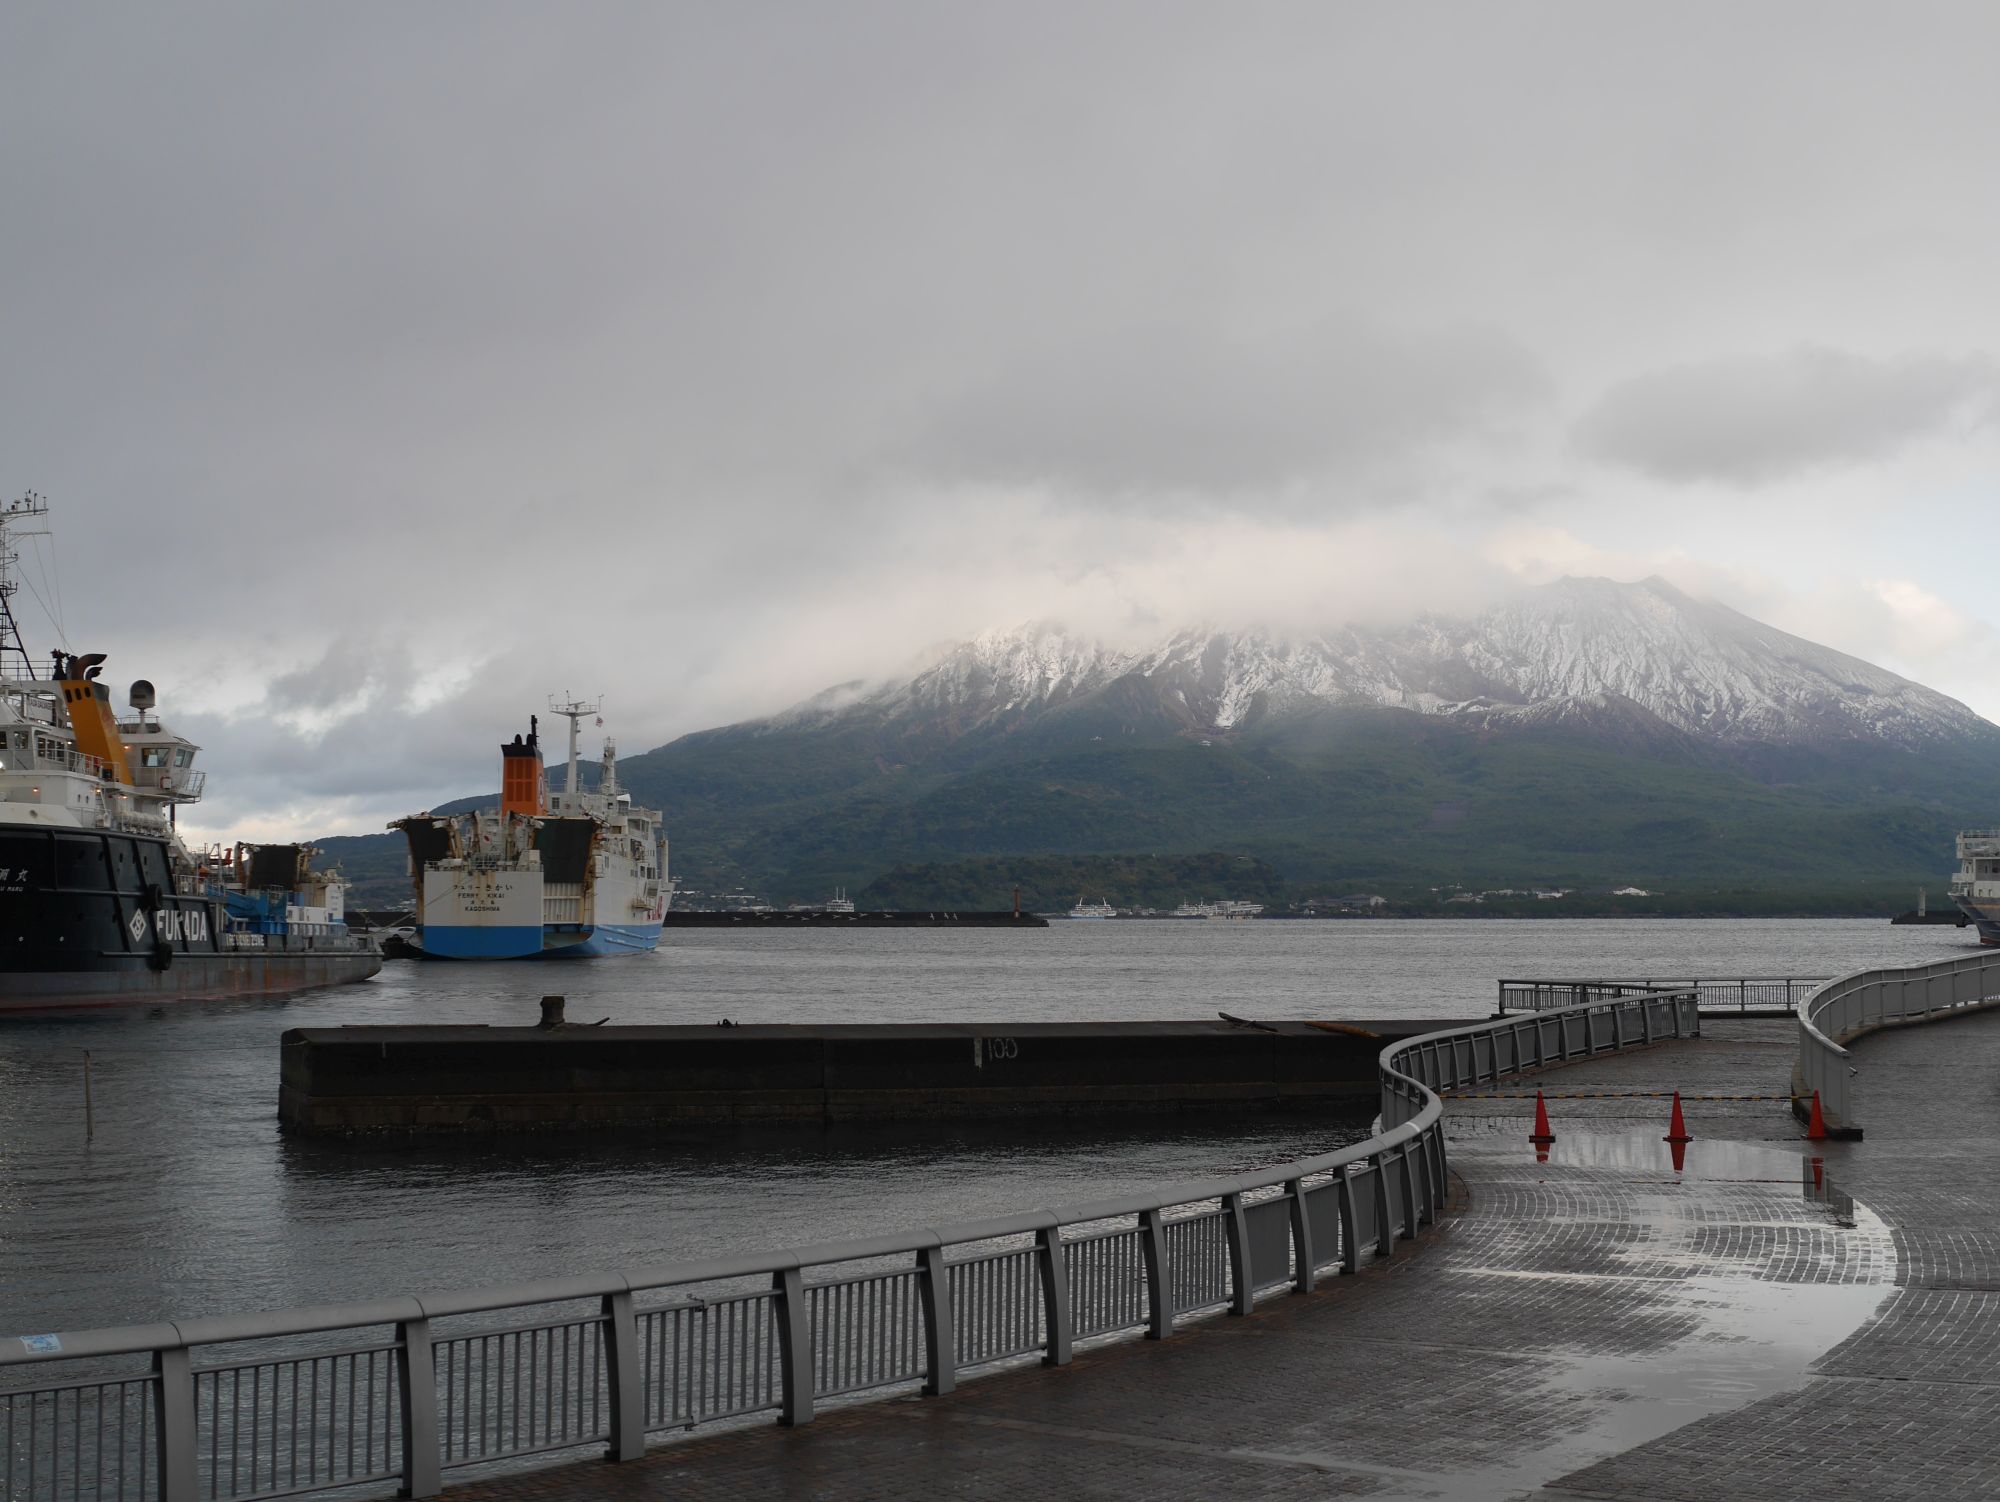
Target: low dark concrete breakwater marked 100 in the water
point(457, 1079)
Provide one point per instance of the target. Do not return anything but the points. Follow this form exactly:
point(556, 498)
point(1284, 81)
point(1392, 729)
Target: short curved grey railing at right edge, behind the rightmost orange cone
point(1865, 1001)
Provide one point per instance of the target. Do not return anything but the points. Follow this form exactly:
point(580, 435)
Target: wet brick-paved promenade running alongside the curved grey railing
point(1595, 1327)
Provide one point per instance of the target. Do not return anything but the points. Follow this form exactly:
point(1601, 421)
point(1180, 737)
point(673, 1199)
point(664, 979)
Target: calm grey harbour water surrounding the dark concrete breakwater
point(191, 1203)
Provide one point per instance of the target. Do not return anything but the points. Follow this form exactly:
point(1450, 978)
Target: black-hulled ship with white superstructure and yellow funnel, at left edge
point(101, 901)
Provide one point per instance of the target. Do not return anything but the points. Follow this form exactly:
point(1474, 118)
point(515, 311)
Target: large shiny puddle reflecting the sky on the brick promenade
point(1753, 1337)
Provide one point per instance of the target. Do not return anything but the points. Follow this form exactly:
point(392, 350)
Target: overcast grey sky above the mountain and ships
point(391, 367)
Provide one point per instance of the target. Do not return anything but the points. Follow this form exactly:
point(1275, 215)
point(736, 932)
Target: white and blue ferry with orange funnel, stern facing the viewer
point(567, 875)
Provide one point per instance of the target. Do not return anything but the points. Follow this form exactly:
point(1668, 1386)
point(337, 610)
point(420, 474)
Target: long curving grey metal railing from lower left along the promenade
point(407, 1389)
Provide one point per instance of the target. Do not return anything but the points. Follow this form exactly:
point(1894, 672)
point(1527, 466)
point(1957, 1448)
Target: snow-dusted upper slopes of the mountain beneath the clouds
point(1567, 653)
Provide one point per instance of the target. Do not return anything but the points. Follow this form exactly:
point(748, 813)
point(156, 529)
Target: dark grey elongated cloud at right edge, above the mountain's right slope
point(1767, 419)
